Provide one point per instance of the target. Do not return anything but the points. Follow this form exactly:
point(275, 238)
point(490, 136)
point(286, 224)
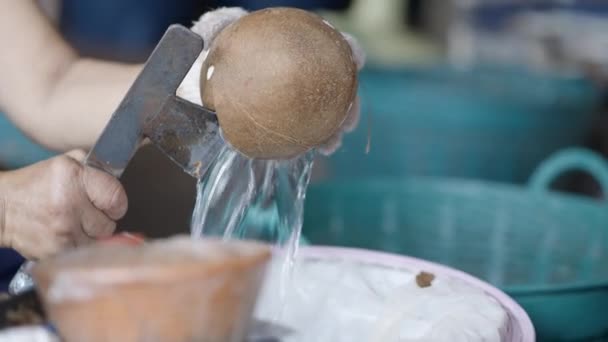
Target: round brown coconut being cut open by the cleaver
point(281, 81)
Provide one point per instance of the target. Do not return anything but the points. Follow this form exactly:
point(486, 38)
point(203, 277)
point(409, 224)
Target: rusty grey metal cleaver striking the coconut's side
point(187, 133)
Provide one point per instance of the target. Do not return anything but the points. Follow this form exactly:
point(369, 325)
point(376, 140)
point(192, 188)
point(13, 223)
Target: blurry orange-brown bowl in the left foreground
point(171, 290)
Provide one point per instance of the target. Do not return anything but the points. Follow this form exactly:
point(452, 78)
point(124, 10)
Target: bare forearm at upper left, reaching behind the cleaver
point(56, 97)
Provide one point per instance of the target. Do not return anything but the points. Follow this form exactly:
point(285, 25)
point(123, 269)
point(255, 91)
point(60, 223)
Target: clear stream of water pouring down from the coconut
point(242, 198)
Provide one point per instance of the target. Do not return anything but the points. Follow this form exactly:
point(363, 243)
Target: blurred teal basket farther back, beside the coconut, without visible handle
point(485, 123)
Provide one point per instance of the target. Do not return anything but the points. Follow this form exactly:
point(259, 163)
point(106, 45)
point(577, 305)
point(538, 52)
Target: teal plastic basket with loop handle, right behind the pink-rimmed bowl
point(548, 250)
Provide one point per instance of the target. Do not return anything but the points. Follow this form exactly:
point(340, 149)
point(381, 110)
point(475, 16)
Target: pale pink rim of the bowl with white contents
point(528, 333)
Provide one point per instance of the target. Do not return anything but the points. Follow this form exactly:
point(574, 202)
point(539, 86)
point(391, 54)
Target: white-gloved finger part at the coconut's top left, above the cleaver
point(211, 23)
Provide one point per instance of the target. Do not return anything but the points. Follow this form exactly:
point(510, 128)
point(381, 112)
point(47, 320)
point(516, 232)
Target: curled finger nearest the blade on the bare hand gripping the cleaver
point(105, 192)
